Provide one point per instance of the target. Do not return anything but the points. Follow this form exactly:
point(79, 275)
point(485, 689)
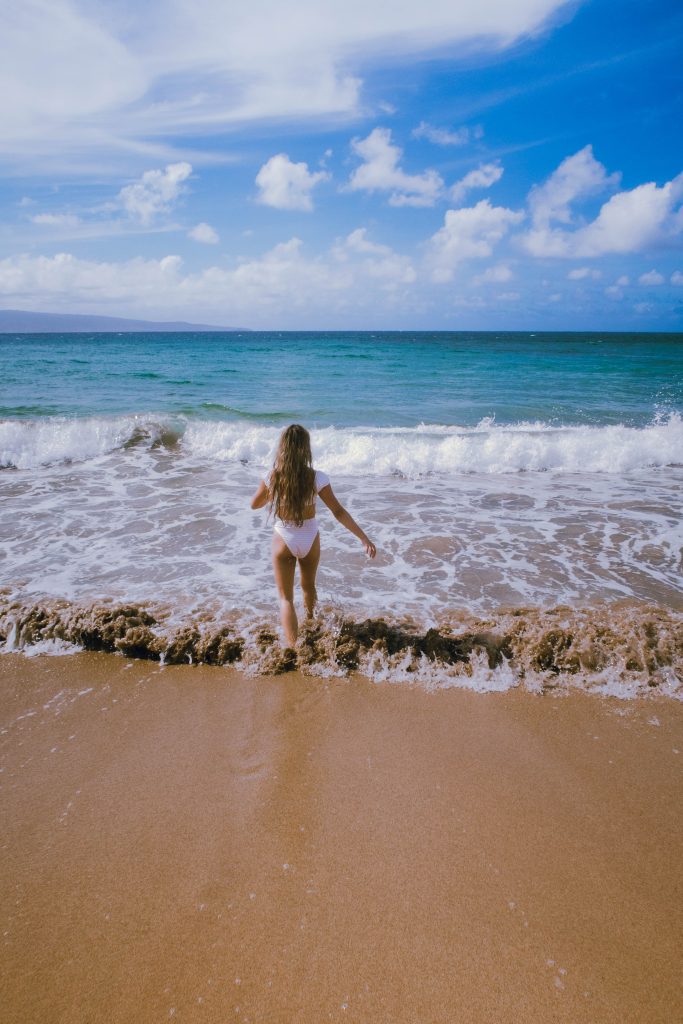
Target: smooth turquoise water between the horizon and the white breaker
point(347, 379)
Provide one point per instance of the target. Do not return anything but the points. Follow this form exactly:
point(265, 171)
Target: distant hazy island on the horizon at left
point(24, 322)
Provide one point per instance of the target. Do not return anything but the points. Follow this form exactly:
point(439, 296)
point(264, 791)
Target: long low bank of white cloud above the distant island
point(353, 276)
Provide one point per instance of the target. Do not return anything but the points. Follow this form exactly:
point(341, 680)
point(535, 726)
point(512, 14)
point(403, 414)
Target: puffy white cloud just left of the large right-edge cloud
point(467, 234)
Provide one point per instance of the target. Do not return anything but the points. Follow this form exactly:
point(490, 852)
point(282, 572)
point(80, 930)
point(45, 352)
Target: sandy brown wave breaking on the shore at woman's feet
point(623, 651)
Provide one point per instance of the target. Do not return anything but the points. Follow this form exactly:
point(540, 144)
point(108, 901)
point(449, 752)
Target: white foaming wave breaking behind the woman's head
point(411, 452)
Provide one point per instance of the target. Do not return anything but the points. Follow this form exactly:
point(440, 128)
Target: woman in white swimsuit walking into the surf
point(290, 491)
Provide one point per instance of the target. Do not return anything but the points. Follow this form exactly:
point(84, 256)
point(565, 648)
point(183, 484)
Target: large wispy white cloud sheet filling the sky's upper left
point(89, 78)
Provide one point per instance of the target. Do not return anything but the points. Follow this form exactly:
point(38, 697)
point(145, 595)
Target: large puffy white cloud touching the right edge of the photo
point(630, 222)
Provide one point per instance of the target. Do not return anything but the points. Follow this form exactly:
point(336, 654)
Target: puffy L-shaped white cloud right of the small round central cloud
point(380, 173)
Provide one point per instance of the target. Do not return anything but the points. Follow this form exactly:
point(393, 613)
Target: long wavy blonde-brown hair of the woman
point(292, 485)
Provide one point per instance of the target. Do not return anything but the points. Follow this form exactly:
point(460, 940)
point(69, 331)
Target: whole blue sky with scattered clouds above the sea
point(326, 166)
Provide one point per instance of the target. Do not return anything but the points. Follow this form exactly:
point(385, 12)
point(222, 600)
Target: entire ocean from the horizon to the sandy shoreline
point(524, 492)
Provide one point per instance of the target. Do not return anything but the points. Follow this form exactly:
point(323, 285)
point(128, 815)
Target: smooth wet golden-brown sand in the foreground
point(192, 844)
